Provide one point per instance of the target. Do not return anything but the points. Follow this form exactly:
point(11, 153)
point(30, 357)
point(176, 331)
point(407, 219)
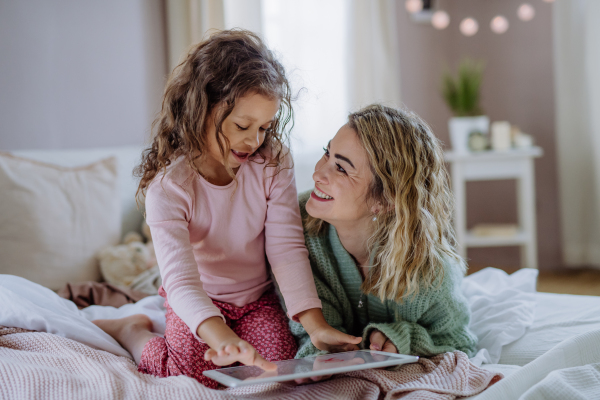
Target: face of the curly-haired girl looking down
point(245, 128)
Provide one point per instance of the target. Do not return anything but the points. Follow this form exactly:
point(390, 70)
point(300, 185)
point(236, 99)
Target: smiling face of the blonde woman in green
point(342, 179)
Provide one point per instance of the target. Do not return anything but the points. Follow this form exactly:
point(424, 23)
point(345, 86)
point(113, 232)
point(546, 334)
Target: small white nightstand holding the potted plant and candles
point(491, 165)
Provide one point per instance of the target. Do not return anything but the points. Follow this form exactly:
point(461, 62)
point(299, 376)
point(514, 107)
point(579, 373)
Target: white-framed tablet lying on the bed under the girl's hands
point(328, 364)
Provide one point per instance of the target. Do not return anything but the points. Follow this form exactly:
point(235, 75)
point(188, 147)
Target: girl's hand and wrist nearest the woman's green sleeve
point(323, 336)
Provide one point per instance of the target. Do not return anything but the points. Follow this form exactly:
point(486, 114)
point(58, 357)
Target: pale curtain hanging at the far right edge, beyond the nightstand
point(577, 65)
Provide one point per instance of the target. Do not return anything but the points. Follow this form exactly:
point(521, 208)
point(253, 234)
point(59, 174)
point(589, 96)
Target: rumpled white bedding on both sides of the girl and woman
point(514, 325)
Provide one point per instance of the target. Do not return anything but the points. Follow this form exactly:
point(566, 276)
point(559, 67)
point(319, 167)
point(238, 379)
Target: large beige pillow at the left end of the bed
point(54, 219)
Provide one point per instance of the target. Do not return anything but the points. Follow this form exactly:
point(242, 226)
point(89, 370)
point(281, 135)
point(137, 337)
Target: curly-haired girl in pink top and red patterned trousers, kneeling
point(220, 194)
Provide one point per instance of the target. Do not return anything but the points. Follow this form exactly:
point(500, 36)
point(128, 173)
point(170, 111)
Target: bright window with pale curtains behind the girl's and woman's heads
point(339, 54)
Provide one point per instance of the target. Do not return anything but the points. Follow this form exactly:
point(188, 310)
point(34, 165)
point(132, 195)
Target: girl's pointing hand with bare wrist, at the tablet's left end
point(227, 348)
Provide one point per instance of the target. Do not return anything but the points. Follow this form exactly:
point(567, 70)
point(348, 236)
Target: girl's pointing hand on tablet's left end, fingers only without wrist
point(234, 350)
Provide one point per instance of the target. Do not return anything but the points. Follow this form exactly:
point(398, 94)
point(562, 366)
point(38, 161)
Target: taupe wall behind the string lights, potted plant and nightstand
point(518, 87)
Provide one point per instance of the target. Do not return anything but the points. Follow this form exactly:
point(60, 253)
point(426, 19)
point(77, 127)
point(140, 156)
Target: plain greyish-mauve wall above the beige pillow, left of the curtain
point(80, 74)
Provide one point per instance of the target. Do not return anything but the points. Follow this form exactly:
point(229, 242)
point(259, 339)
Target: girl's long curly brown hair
point(228, 65)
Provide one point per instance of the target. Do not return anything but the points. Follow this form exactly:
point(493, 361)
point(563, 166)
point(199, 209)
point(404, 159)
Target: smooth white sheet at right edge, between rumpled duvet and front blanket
point(558, 317)
